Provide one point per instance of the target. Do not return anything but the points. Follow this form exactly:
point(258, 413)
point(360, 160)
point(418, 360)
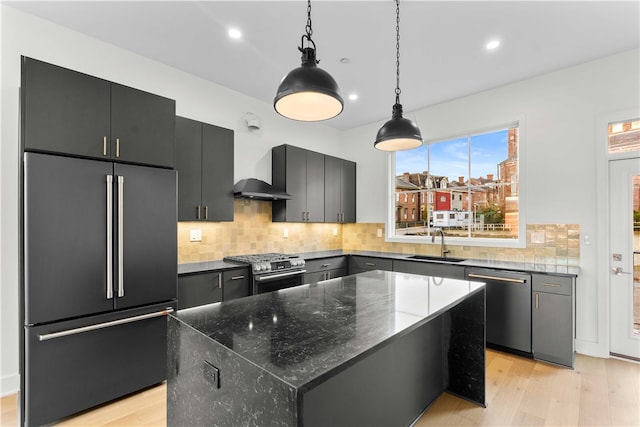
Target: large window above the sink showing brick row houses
point(468, 186)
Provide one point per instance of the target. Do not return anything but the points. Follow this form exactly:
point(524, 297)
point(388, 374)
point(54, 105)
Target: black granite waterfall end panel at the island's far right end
point(464, 347)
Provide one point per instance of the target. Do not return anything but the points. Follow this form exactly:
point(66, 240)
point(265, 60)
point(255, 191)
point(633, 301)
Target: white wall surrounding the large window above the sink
point(562, 151)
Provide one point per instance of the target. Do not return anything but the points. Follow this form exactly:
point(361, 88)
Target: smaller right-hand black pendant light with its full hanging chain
point(398, 133)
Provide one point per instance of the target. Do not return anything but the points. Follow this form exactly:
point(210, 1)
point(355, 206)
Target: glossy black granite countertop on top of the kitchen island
point(303, 333)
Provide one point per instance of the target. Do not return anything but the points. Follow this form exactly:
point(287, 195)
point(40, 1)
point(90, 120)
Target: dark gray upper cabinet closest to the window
point(339, 190)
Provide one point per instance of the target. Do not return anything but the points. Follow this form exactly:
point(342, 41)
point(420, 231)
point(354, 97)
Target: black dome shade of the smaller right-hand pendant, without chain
point(398, 133)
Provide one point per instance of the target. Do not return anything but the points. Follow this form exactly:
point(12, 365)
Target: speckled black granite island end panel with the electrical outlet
point(247, 395)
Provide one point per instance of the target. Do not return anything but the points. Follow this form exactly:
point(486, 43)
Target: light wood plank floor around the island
point(520, 392)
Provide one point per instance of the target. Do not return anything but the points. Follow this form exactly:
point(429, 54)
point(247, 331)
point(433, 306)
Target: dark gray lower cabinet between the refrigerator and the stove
point(212, 286)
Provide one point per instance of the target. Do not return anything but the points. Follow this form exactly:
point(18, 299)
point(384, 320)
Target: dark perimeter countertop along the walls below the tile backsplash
point(563, 270)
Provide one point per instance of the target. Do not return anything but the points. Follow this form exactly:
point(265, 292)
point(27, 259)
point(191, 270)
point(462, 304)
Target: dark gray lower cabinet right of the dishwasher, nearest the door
point(553, 319)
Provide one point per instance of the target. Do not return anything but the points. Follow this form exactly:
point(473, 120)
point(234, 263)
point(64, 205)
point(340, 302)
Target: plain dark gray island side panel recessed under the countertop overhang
point(389, 387)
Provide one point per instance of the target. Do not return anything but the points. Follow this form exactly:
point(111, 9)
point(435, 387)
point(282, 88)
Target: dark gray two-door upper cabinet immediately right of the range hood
point(300, 173)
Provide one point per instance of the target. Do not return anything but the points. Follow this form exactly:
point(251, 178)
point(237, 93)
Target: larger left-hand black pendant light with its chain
point(308, 93)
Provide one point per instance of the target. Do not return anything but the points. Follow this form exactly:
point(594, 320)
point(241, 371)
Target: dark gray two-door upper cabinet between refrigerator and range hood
point(204, 160)
